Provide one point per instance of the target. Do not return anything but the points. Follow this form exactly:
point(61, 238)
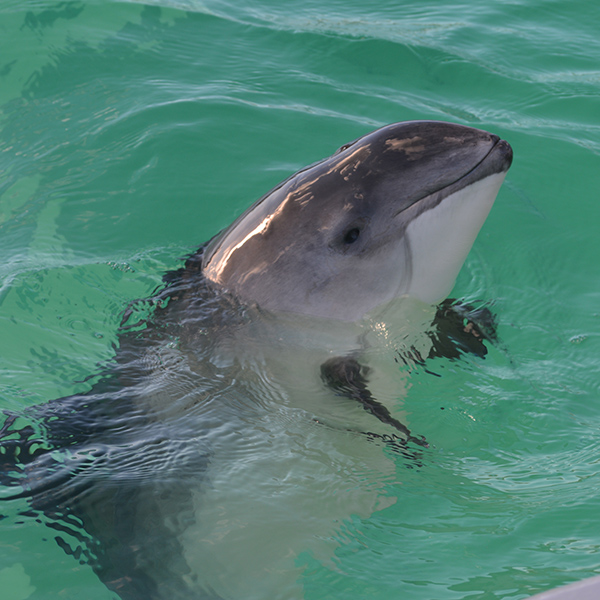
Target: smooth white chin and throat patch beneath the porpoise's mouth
point(440, 238)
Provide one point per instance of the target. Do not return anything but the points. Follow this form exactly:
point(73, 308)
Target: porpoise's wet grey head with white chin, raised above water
point(391, 214)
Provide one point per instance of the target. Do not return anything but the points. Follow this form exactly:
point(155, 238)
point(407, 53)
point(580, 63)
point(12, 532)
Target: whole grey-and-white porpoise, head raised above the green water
point(246, 416)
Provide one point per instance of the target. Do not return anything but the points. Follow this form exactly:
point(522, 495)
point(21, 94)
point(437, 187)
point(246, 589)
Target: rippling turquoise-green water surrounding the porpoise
point(130, 133)
